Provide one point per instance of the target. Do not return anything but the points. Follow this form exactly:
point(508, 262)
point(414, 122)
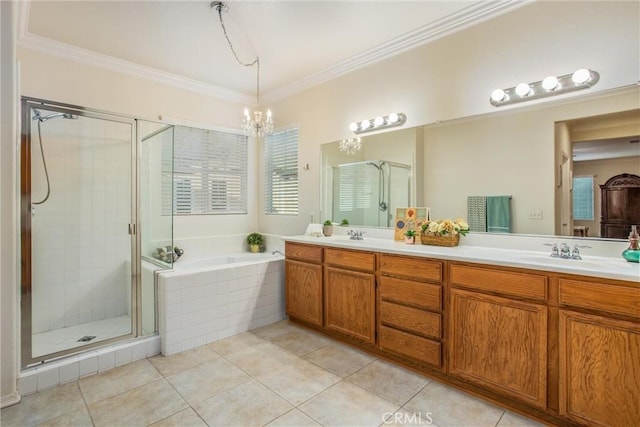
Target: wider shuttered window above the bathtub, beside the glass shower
point(209, 173)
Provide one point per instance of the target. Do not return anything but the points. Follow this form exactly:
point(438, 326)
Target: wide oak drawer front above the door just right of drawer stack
point(530, 286)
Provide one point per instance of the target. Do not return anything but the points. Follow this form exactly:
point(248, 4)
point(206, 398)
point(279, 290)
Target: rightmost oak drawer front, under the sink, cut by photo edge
point(600, 296)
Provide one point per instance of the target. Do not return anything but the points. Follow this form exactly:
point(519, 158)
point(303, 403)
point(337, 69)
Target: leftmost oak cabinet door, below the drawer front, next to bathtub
point(304, 291)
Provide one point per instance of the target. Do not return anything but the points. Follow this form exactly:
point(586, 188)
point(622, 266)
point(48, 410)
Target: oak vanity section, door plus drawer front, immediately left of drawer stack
point(349, 298)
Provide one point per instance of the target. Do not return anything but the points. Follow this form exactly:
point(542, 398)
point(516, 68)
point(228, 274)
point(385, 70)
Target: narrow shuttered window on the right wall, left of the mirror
point(281, 173)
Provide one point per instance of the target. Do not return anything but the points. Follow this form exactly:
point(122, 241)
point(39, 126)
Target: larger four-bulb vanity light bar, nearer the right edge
point(551, 85)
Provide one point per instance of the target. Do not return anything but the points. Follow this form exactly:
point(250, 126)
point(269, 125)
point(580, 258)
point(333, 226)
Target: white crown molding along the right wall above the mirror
point(464, 18)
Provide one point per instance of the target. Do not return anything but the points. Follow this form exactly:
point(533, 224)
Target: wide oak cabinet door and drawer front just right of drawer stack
point(498, 331)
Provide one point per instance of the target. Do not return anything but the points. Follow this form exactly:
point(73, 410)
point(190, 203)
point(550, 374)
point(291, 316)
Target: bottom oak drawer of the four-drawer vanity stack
point(411, 346)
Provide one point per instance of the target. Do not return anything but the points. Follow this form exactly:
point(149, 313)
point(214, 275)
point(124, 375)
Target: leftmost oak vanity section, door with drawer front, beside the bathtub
point(303, 283)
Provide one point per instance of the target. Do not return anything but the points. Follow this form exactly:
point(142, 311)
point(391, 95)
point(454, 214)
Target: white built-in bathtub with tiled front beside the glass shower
point(203, 300)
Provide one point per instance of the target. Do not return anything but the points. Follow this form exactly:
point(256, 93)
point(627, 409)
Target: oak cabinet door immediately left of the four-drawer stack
point(349, 306)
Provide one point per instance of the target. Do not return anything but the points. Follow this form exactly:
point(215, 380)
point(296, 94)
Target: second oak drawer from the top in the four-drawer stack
point(408, 292)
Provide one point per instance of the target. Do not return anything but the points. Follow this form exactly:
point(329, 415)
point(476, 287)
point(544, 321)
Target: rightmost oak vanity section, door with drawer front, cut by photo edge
point(599, 354)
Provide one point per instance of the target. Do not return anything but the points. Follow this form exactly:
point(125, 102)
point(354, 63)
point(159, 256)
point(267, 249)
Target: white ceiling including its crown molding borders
point(300, 43)
